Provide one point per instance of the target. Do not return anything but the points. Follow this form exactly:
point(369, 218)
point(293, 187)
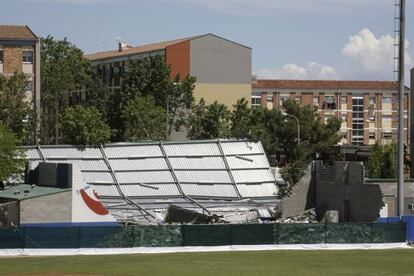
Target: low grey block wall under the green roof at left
point(47, 209)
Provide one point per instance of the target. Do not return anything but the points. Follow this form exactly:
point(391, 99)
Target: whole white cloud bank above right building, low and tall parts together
point(365, 57)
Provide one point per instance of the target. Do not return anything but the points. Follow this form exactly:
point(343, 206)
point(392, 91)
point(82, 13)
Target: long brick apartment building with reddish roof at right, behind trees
point(368, 109)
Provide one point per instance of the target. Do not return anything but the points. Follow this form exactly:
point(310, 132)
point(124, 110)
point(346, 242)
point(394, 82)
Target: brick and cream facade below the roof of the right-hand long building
point(379, 118)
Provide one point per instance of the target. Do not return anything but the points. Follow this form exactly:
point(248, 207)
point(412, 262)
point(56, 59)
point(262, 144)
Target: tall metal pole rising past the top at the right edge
point(400, 158)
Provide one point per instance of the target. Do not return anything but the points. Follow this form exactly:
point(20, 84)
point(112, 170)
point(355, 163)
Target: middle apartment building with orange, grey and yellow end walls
point(222, 67)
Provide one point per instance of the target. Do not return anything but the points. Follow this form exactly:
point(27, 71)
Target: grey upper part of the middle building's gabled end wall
point(217, 60)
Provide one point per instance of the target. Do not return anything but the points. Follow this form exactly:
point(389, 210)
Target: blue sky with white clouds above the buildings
point(296, 39)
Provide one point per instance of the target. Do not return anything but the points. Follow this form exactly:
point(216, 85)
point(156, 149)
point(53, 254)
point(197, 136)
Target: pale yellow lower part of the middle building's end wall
point(226, 94)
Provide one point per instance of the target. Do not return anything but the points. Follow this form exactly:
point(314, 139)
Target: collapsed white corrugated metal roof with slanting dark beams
point(135, 179)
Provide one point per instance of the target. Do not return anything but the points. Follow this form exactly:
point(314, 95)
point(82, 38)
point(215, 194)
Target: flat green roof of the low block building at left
point(26, 191)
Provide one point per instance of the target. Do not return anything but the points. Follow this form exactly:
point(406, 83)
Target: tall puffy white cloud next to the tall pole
point(369, 56)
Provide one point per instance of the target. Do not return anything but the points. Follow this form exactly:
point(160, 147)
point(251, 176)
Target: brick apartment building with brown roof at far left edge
point(20, 52)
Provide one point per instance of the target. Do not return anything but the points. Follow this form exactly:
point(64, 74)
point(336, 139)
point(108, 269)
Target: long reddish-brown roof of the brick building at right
point(325, 84)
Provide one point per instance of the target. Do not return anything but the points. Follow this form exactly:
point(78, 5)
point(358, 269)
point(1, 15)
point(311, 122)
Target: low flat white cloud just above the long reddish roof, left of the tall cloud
point(311, 70)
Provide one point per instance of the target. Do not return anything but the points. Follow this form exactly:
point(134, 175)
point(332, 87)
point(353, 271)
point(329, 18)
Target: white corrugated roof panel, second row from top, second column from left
point(138, 164)
